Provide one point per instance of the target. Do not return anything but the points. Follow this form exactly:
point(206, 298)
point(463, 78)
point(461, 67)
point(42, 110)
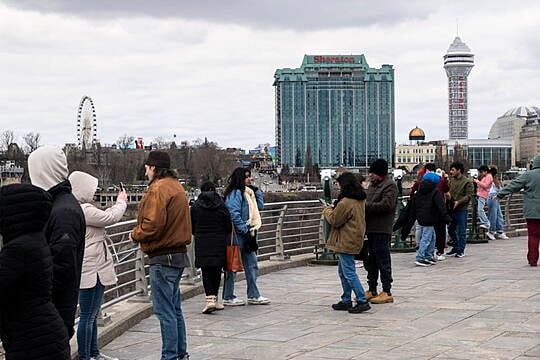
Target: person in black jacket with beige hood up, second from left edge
point(65, 230)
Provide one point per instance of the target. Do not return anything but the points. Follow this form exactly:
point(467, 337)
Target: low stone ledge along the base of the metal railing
point(128, 313)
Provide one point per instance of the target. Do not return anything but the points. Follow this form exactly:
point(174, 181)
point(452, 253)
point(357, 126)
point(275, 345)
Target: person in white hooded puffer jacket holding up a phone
point(98, 266)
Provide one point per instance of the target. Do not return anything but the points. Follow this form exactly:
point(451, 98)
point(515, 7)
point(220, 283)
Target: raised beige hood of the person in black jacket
point(47, 167)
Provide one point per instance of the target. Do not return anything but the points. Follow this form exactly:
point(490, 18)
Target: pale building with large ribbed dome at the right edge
point(508, 126)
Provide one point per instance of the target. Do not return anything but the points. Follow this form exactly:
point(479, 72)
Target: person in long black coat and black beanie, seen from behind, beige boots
point(210, 223)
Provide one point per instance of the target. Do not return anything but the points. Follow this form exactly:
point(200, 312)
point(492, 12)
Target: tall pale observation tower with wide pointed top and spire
point(458, 62)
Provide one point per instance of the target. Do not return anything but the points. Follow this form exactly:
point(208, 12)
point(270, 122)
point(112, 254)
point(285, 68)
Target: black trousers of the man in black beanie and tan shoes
point(379, 261)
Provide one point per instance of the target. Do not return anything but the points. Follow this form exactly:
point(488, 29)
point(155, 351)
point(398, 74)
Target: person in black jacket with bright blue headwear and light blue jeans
point(428, 208)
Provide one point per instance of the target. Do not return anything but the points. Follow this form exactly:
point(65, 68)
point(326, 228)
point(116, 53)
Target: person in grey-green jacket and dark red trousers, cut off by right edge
point(530, 183)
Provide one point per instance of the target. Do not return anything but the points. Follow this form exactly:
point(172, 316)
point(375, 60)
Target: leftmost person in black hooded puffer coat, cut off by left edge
point(30, 326)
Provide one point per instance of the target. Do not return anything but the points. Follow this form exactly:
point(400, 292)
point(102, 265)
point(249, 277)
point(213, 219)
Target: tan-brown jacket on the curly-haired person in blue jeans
point(348, 226)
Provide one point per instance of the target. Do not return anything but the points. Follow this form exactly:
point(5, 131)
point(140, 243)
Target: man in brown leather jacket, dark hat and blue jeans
point(163, 231)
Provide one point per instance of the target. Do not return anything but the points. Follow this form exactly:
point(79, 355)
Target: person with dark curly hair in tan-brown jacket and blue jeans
point(347, 219)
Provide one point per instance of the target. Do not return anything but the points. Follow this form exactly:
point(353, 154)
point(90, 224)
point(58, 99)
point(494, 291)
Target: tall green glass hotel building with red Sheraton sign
point(338, 109)
